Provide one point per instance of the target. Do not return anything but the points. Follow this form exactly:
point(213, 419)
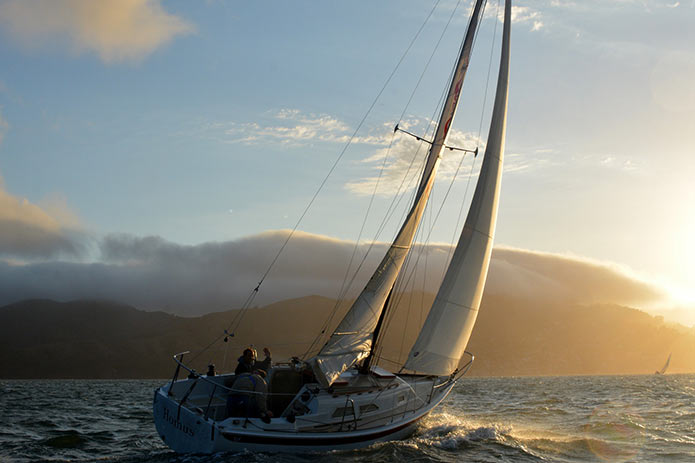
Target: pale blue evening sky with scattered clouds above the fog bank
point(188, 125)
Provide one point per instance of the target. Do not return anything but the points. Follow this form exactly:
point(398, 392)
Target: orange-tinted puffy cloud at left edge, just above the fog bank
point(28, 231)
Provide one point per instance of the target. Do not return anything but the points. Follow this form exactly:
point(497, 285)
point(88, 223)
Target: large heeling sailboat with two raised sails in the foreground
point(348, 401)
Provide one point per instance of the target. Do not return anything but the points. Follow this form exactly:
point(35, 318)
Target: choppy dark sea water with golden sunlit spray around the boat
point(557, 419)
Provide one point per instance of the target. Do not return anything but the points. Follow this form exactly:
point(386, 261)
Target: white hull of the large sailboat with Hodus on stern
point(186, 429)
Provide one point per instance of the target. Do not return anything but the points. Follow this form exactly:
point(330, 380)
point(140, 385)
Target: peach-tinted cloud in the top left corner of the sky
point(117, 30)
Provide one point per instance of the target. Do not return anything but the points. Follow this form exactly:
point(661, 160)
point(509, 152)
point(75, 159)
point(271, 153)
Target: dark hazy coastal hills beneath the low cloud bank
point(99, 339)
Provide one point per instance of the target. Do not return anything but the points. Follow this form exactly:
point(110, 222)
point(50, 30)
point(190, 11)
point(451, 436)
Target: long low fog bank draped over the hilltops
point(155, 274)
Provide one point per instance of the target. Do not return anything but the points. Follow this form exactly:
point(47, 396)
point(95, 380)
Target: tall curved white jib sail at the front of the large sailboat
point(444, 336)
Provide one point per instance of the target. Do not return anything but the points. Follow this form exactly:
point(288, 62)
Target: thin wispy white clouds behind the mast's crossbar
point(396, 162)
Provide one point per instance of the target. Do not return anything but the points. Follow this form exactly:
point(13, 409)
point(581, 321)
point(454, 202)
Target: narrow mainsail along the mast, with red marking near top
point(352, 339)
